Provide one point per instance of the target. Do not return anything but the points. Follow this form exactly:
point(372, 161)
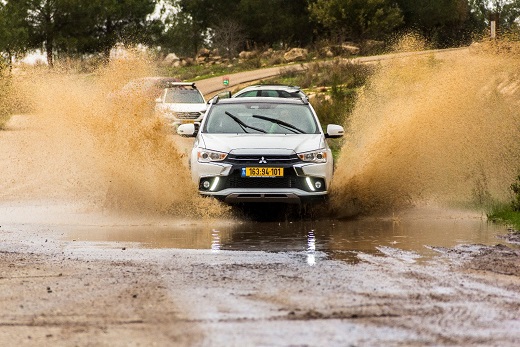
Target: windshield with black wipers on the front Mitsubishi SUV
point(259, 118)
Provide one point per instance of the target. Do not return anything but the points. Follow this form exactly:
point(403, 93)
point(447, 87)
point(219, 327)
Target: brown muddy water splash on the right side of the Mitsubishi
point(429, 130)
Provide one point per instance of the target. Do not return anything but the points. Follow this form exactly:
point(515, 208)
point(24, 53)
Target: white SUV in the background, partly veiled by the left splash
point(180, 103)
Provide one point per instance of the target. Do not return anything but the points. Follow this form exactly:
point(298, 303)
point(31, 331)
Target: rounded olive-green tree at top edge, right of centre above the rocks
point(357, 19)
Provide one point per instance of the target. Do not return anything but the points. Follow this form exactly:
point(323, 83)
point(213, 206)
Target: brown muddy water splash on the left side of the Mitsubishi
point(92, 145)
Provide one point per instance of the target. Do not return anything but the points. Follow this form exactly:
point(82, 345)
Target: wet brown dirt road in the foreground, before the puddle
point(61, 292)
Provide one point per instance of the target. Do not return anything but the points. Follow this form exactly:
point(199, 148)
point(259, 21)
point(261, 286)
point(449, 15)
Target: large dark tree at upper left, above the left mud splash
point(75, 27)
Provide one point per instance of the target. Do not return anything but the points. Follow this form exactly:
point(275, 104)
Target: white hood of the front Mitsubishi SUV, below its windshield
point(259, 143)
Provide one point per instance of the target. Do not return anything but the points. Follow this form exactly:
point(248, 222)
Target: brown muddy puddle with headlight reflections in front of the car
point(336, 238)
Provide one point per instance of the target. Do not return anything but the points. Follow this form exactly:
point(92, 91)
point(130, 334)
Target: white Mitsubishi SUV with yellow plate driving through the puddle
point(261, 150)
